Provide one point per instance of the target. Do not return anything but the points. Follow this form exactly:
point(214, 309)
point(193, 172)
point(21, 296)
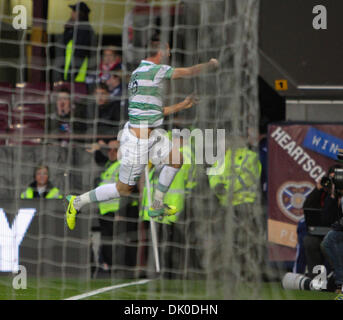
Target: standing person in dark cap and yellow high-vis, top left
point(78, 37)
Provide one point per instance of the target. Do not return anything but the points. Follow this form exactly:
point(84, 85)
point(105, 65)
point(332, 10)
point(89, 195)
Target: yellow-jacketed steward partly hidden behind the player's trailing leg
point(113, 214)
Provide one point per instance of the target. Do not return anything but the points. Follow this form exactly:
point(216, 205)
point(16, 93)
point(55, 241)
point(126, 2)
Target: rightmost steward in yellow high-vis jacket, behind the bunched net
point(237, 189)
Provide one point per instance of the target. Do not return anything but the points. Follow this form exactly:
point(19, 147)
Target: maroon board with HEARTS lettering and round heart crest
point(299, 156)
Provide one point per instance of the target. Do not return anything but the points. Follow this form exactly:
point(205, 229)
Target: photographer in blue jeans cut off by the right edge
point(332, 245)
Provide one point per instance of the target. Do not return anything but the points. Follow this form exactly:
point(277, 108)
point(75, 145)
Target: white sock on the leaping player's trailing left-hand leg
point(102, 193)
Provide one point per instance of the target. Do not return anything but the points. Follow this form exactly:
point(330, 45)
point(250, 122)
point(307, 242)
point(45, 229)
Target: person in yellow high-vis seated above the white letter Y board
point(41, 187)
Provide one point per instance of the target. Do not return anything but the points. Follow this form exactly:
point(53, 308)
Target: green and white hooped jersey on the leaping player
point(145, 94)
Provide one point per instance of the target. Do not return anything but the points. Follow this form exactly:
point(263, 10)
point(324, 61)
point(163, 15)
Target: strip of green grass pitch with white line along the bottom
point(54, 289)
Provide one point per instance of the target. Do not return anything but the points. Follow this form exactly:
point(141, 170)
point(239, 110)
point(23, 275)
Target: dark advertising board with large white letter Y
point(33, 234)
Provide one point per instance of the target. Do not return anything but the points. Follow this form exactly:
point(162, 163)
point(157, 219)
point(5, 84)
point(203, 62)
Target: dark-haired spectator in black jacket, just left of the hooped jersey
point(106, 113)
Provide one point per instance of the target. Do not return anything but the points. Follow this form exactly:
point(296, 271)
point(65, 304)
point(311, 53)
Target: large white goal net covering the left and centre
point(215, 246)
